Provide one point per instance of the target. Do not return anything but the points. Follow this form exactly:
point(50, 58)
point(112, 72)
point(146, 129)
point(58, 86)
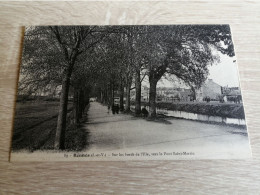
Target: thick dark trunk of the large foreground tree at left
point(61, 123)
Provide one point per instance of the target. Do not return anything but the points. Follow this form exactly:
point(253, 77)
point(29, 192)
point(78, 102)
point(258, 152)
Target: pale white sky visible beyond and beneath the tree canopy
point(224, 73)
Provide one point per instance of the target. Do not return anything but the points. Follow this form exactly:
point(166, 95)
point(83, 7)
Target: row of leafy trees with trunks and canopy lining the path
point(104, 59)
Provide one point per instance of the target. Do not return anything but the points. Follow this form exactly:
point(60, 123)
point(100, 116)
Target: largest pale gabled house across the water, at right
point(209, 89)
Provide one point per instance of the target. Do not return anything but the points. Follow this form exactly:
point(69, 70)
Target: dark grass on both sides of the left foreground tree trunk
point(35, 126)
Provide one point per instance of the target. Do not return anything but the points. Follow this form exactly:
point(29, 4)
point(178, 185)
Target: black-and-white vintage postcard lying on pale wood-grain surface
point(140, 92)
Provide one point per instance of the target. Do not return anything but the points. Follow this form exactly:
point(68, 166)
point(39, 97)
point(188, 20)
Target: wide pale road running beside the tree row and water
point(108, 132)
